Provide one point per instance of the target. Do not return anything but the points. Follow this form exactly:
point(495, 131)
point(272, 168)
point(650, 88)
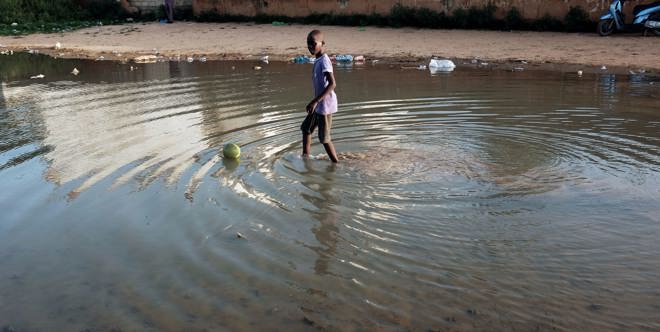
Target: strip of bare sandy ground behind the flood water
point(248, 41)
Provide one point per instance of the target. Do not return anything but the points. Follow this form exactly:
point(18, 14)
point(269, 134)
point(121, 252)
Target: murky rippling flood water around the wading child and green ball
point(475, 200)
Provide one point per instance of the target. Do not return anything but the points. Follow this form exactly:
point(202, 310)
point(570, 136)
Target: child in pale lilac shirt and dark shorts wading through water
point(324, 104)
